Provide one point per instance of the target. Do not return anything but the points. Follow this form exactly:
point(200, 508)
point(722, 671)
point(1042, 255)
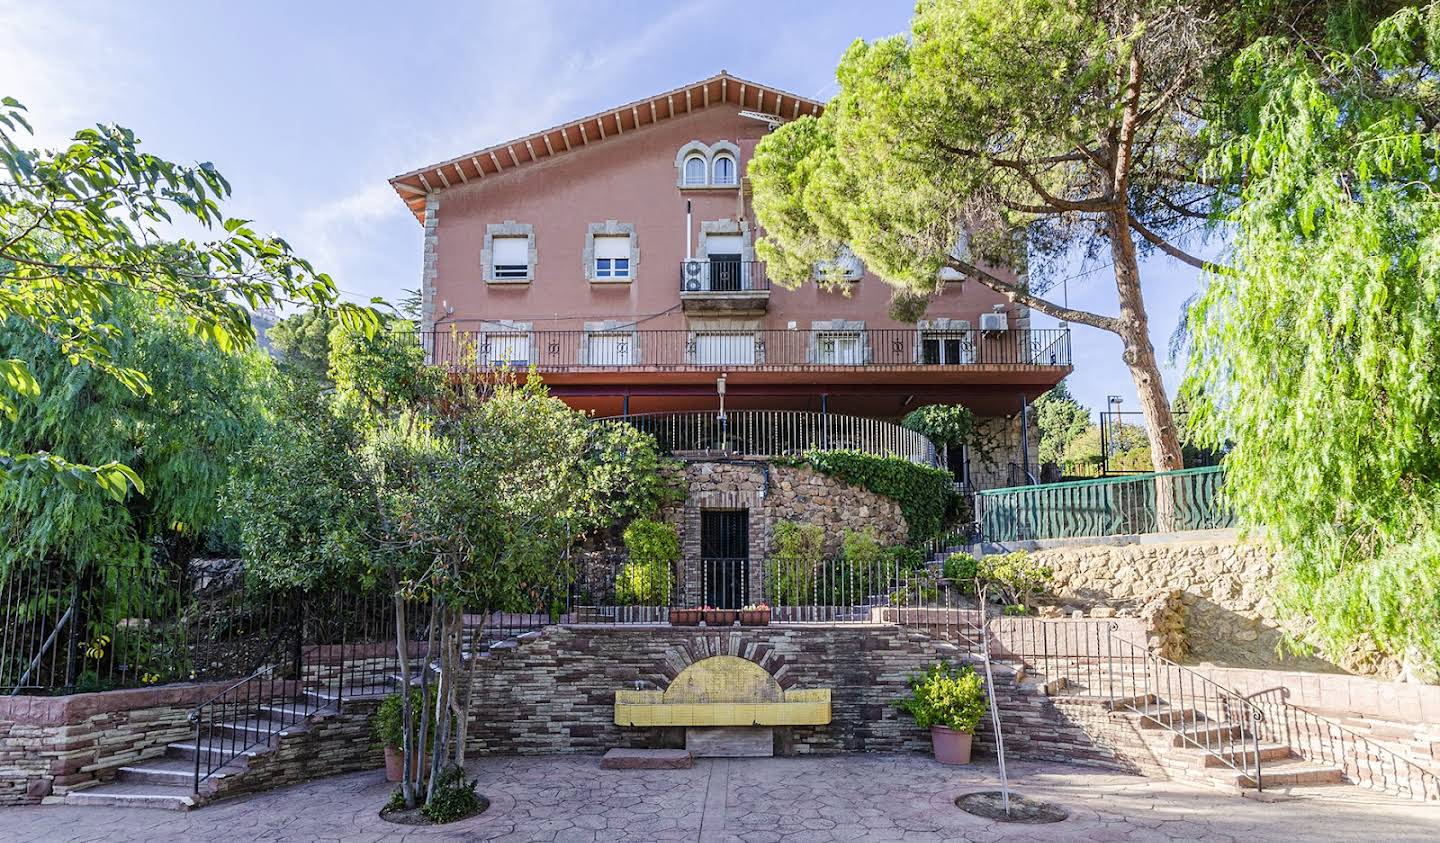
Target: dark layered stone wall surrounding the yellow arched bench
point(557, 694)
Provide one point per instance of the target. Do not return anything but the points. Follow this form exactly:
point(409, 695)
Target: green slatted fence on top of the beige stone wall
point(1111, 507)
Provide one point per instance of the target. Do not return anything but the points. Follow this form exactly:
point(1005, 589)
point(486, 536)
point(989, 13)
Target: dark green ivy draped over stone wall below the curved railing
point(925, 495)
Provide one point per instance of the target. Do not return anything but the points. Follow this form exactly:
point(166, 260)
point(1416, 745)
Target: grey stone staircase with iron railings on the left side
point(168, 779)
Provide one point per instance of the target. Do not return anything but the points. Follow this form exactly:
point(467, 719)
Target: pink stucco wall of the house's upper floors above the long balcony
point(630, 179)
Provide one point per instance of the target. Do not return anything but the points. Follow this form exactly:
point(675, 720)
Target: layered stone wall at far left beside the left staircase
point(54, 744)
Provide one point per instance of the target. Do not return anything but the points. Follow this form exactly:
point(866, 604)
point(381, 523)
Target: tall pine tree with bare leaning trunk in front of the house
point(1039, 128)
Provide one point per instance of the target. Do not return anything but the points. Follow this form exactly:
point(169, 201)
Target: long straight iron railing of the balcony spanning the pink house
point(760, 349)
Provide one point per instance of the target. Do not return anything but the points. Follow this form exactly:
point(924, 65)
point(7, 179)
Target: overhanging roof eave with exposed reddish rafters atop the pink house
point(600, 128)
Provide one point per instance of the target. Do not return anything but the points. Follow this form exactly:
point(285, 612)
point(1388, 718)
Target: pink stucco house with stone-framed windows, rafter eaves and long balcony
point(616, 254)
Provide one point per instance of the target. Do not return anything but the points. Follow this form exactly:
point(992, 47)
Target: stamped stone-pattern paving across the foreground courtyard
point(875, 798)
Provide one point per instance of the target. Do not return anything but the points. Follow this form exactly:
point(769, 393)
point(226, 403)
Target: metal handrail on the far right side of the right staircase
point(1349, 762)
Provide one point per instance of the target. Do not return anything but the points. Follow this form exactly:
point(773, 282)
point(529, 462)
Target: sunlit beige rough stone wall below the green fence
point(1228, 590)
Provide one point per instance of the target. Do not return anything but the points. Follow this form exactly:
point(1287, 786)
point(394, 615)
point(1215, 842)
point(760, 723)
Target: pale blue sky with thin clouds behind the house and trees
point(309, 107)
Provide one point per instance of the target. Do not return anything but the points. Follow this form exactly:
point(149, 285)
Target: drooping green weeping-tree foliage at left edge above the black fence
point(178, 439)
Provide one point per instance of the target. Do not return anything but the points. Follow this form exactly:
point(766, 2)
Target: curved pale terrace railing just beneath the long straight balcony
point(764, 433)
